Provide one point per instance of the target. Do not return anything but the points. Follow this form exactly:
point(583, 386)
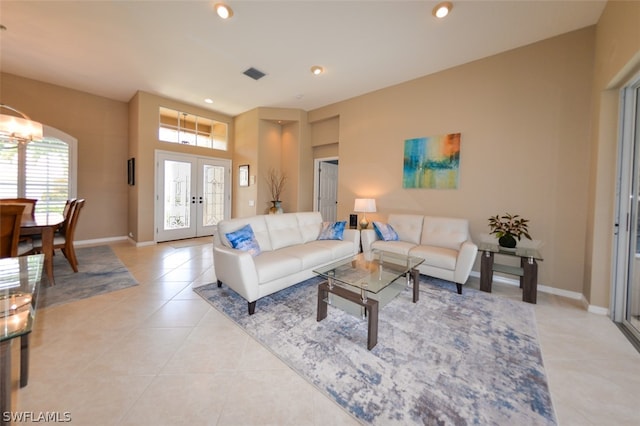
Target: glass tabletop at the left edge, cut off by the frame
point(19, 281)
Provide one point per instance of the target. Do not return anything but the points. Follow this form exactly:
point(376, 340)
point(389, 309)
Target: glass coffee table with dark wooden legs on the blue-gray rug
point(366, 283)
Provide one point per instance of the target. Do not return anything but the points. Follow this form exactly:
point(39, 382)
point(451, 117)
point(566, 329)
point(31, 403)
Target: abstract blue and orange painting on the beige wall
point(432, 162)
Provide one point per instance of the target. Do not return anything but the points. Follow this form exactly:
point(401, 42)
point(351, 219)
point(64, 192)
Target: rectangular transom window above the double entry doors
point(189, 129)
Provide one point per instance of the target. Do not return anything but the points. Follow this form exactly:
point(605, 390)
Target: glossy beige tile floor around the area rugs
point(156, 354)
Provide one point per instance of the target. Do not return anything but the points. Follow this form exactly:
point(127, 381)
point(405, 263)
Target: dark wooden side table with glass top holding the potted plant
point(527, 271)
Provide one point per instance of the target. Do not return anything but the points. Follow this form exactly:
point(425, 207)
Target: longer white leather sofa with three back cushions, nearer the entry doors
point(289, 251)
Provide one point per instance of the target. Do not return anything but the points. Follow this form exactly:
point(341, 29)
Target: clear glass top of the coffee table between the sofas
point(371, 271)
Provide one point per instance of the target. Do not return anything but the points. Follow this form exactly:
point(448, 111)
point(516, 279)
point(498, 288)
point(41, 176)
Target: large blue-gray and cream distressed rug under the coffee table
point(448, 360)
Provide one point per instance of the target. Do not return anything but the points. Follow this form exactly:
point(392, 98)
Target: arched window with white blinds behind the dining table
point(45, 170)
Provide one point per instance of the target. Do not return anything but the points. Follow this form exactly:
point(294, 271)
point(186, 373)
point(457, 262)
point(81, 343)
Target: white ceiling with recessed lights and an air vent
point(182, 50)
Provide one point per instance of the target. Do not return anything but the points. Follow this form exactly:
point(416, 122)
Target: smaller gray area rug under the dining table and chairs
point(99, 272)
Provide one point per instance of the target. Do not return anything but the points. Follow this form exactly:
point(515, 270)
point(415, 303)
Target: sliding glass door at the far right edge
point(626, 301)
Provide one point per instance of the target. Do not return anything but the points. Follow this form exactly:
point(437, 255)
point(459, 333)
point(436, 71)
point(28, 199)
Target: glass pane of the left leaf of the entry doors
point(177, 192)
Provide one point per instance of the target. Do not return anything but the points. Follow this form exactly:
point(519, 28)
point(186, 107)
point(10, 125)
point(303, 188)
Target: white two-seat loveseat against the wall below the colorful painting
point(443, 243)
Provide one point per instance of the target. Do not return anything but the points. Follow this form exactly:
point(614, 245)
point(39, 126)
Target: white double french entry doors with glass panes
point(192, 195)
